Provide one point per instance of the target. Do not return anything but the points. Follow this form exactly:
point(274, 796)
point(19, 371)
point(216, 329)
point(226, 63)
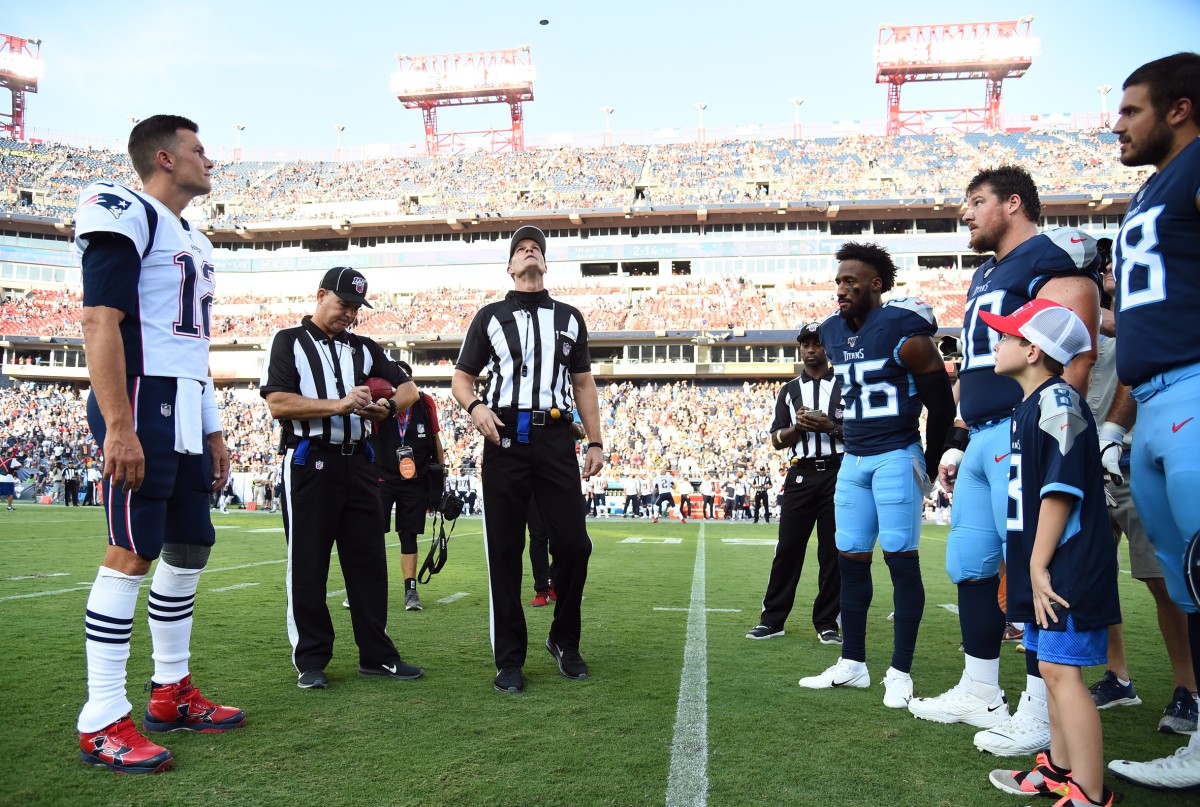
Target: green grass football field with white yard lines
point(751, 736)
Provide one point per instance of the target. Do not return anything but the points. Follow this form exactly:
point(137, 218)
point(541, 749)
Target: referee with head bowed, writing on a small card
point(315, 386)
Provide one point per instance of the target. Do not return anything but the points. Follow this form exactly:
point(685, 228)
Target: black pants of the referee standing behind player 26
point(808, 501)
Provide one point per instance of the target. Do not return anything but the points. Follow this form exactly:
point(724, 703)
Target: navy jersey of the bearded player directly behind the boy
point(1003, 288)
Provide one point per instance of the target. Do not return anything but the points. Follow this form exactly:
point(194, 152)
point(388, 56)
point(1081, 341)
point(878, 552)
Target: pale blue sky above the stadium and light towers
point(291, 71)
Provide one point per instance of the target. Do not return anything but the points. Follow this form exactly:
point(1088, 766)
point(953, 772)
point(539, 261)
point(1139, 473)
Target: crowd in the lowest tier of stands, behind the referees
point(689, 429)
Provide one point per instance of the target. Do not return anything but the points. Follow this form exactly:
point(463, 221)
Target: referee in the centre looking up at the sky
point(536, 350)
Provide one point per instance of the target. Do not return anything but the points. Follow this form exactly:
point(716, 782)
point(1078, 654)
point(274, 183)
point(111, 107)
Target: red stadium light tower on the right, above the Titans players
point(992, 52)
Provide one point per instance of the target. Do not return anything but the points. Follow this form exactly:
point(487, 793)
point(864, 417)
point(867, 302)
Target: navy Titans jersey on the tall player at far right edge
point(1156, 262)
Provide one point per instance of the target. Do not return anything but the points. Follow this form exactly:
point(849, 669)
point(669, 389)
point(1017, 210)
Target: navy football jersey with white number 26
point(880, 396)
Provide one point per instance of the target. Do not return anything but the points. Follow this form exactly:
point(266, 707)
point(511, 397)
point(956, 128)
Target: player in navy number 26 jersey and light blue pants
point(890, 367)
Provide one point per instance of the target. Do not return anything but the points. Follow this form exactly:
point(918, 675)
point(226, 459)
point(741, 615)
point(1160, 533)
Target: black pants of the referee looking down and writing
point(335, 499)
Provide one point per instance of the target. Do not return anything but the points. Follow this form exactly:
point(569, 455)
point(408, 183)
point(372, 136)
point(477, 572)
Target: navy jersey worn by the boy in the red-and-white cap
point(1055, 450)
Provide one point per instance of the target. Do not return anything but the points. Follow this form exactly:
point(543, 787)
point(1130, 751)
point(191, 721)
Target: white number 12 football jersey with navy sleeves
point(166, 297)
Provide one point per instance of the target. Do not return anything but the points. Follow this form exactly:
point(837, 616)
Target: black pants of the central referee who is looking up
point(547, 470)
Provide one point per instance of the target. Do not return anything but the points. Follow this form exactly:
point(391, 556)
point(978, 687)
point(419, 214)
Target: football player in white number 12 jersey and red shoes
point(148, 283)
